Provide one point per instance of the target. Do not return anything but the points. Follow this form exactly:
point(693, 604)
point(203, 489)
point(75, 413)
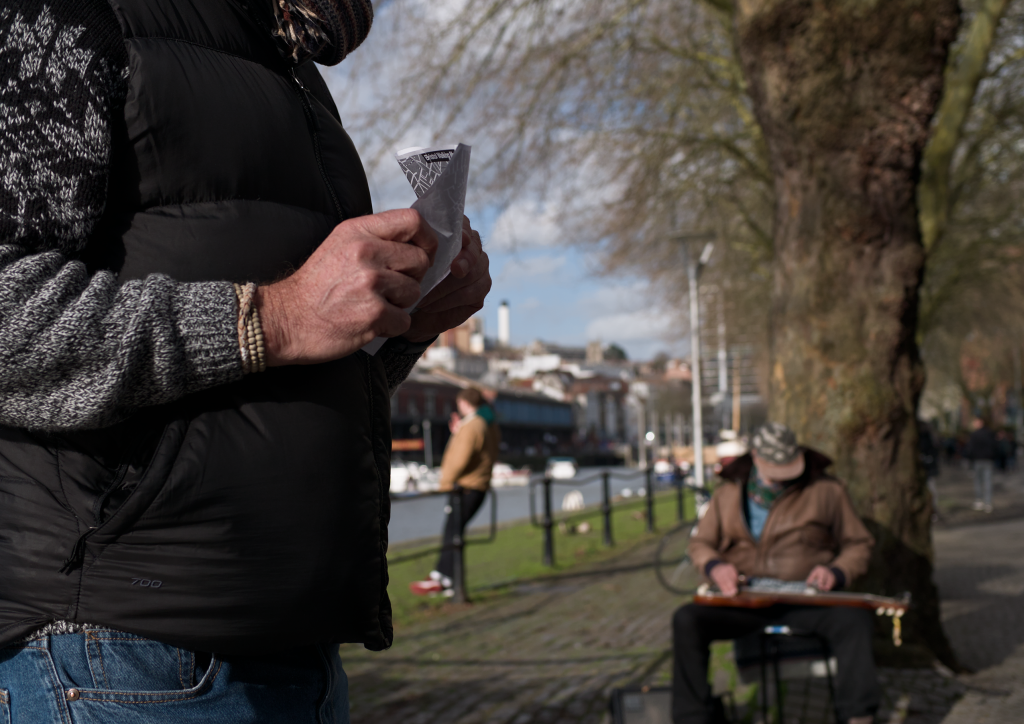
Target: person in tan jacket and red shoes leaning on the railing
point(466, 469)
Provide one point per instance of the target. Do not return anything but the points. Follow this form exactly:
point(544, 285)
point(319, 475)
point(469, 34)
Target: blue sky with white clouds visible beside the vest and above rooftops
point(552, 288)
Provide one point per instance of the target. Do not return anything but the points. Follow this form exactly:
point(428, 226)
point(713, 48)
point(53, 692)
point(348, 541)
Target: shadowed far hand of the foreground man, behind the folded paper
point(459, 296)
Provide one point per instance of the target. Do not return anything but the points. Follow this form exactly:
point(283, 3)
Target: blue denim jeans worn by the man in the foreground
point(110, 677)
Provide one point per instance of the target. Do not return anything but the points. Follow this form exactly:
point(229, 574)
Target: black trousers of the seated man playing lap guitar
point(848, 632)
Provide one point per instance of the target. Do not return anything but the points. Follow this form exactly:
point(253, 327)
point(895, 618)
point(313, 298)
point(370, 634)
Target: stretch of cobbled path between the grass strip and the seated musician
point(546, 655)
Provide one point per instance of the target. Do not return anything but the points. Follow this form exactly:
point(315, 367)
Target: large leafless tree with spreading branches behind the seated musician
point(644, 120)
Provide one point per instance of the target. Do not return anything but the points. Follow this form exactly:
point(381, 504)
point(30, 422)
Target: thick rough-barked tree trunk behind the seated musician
point(844, 92)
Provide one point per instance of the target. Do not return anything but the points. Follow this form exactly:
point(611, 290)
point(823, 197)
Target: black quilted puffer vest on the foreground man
point(252, 517)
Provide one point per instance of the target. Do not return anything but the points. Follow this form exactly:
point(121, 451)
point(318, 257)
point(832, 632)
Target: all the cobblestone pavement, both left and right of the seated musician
point(552, 653)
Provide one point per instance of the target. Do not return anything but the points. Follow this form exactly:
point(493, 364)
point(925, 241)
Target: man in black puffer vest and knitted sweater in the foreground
point(194, 448)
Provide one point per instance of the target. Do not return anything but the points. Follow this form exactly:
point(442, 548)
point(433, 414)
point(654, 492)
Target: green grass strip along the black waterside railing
point(516, 553)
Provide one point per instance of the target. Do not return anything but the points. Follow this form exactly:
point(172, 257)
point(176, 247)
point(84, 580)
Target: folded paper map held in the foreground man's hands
point(440, 178)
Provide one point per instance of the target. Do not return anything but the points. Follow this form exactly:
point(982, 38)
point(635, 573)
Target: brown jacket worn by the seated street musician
point(813, 523)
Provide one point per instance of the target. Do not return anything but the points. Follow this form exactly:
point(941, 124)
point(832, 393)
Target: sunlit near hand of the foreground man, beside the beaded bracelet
point(353, 289)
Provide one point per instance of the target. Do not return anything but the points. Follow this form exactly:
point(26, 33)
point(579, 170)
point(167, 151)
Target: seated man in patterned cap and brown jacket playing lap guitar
point(778, 516)
